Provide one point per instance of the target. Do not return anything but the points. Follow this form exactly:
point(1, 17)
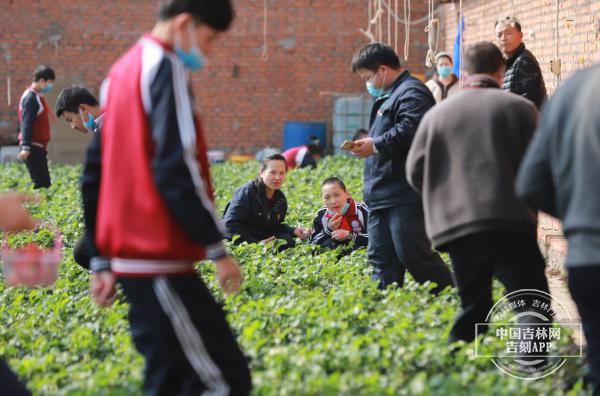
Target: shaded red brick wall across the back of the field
point(310, 45)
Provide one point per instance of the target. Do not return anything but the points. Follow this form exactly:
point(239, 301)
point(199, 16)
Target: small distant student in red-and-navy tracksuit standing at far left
point(35, 126)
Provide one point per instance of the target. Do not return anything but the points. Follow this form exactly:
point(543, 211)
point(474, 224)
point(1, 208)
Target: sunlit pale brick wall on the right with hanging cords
point(579, 47)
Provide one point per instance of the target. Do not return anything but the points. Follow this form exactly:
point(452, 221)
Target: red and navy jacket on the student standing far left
point(33, 119)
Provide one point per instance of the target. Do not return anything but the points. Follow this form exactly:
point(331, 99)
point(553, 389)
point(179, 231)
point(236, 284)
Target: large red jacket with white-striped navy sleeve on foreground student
point(148, 170)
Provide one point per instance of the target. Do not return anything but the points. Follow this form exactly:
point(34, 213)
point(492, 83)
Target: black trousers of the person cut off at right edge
point(584, 285)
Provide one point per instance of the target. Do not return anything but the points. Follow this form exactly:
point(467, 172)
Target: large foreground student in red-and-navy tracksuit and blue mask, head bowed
point(149, 211)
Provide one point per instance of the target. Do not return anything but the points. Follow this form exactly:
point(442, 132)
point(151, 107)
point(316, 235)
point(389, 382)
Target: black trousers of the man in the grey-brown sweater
point(513, 258)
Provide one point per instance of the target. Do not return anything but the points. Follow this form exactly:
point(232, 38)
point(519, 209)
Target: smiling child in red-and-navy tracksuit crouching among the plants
point(342, 221)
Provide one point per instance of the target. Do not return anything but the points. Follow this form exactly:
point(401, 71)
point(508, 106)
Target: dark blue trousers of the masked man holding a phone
point(398, 242)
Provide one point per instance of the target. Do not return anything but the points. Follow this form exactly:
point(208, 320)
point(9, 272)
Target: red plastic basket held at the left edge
point(32, 266)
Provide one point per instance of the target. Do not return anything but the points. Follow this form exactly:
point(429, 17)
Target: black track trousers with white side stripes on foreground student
point(181, 331)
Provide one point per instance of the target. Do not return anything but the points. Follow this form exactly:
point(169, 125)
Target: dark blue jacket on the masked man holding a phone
point(394, 120)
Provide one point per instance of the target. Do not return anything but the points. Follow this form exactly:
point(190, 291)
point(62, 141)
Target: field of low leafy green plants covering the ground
point(310, 324)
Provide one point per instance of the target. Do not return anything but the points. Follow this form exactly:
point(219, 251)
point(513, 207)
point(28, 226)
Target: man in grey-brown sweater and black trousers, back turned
point(464, 161)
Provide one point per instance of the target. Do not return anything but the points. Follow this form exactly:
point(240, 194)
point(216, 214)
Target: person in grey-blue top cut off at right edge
point(561, 176)
